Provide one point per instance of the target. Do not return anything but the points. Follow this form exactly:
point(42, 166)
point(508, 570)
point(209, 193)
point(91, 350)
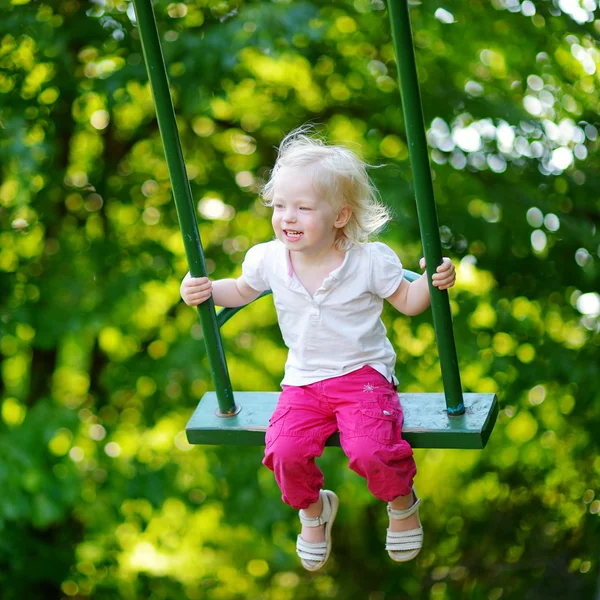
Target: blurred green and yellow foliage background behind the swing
point(102, 365)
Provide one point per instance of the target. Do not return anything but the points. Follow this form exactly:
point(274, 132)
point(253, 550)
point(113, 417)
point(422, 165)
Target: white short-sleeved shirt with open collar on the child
point(337, 330)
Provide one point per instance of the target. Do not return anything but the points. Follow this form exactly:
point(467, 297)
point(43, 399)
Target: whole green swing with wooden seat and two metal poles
point(443, 420)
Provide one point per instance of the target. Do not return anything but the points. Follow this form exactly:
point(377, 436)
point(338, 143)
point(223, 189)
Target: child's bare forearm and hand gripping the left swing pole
point(225, 292)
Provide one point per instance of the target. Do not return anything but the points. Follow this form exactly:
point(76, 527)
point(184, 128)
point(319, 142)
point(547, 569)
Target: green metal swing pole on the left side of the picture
point(183, 198)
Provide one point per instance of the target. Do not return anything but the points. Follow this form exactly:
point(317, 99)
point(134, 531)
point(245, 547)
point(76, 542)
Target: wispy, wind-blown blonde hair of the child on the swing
point(340, 176)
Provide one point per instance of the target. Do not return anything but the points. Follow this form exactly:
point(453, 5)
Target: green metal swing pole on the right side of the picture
point(419, 159)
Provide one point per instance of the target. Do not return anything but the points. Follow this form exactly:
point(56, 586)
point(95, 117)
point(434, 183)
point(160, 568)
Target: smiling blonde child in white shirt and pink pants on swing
point(328, 286)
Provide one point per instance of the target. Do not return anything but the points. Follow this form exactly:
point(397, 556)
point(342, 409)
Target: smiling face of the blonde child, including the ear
point(302, 220)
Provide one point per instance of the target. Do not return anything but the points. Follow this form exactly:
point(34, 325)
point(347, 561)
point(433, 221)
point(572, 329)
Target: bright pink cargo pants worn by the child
point(364, 407)
